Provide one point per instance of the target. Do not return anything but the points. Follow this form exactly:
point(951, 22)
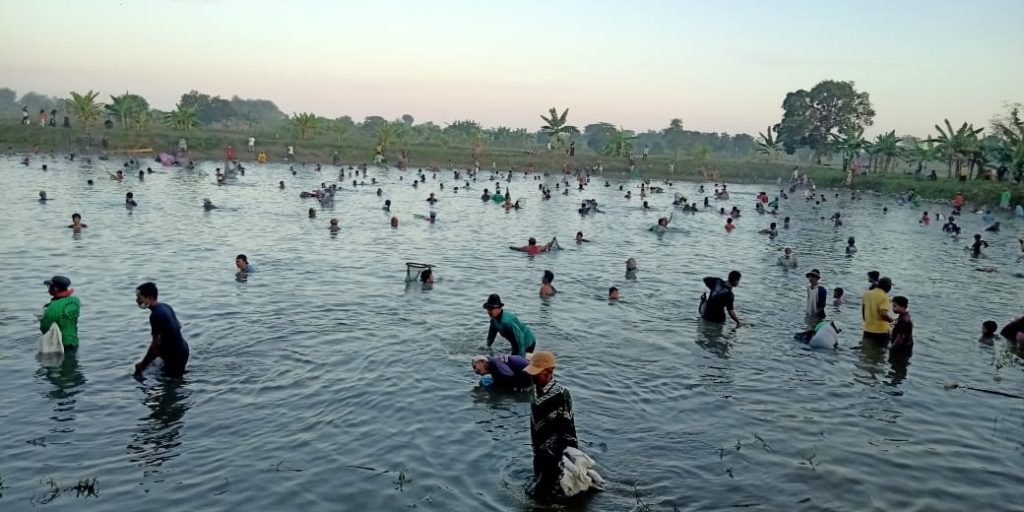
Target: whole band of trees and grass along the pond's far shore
point(825, 148)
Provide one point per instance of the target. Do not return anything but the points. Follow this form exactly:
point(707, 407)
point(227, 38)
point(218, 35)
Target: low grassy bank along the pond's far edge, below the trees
point(209, 144)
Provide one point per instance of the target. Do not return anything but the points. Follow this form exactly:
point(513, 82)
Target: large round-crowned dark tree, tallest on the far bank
point(813, 119)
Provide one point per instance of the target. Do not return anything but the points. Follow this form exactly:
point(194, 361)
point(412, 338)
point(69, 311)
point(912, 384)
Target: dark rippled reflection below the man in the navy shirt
point(158, 436)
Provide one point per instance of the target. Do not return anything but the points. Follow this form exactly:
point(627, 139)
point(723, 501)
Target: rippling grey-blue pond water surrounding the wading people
point(323, 382)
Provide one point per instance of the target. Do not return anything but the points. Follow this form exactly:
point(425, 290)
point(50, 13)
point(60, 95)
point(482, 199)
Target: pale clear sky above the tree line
point(720, 66)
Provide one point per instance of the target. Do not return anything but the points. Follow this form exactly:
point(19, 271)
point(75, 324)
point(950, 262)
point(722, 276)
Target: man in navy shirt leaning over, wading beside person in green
point(167, 344)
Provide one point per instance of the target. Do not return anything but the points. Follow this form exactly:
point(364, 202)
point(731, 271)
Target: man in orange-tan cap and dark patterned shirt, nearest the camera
point(552, 428)
